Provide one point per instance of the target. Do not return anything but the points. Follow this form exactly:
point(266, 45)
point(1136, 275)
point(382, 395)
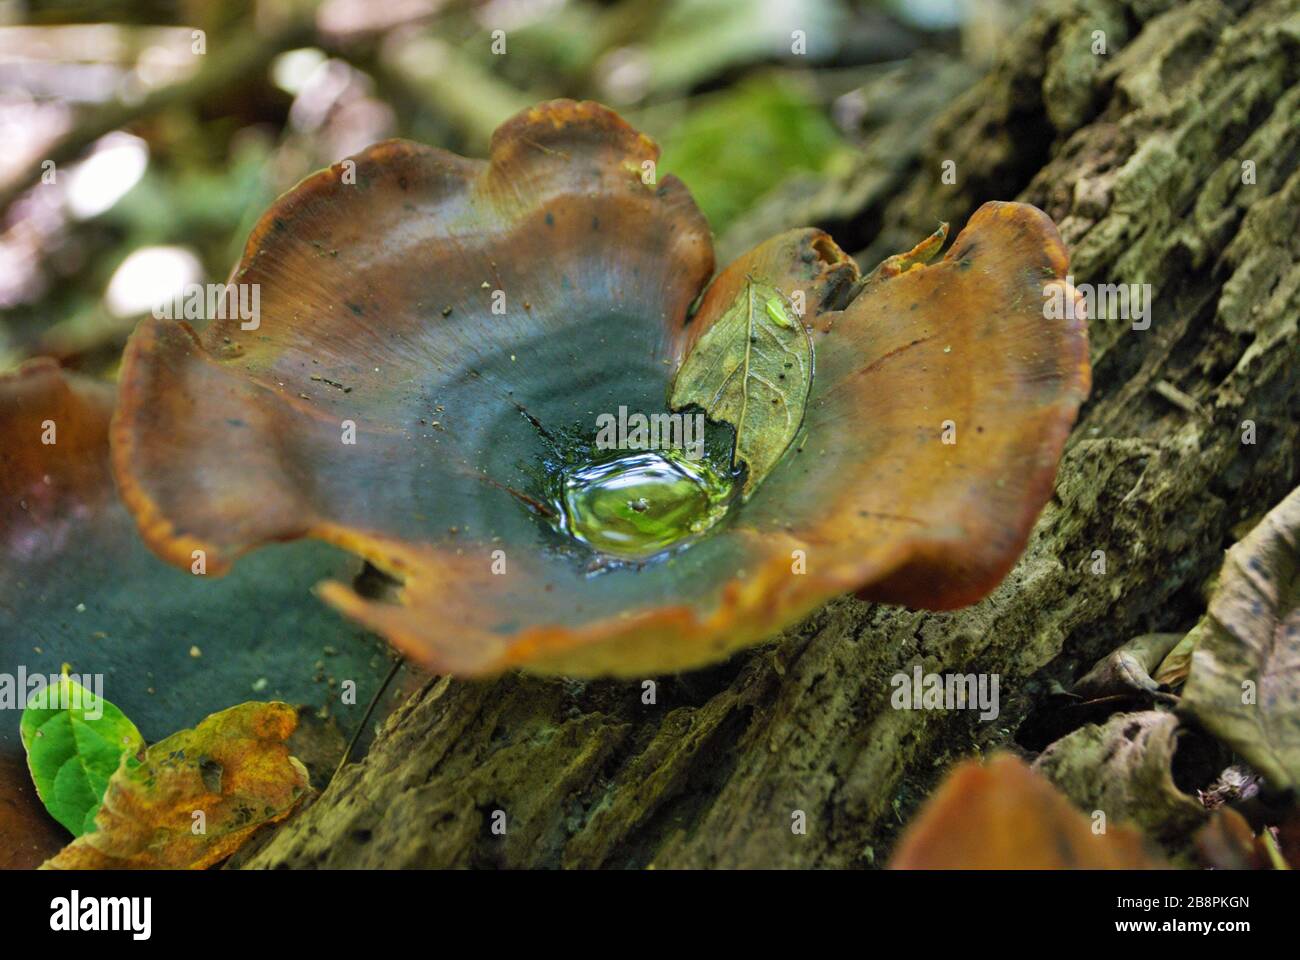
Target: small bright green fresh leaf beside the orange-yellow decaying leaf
point(75, 742)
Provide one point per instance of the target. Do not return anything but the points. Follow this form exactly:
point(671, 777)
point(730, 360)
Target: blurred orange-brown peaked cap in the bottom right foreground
point(1003, 816)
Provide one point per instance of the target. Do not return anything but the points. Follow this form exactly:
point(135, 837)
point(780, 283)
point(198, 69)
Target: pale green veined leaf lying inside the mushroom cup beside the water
point(753, 370)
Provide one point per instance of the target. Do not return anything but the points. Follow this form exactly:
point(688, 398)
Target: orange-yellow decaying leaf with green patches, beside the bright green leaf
point(197, 797)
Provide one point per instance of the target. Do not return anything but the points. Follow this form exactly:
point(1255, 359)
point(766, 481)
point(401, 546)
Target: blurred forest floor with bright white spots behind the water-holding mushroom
point(145, 139)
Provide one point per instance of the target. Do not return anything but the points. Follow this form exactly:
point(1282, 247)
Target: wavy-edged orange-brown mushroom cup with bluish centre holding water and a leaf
point(487, 379)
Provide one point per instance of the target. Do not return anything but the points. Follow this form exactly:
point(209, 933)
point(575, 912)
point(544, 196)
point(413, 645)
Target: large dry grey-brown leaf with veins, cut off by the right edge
point(1245, 680)
